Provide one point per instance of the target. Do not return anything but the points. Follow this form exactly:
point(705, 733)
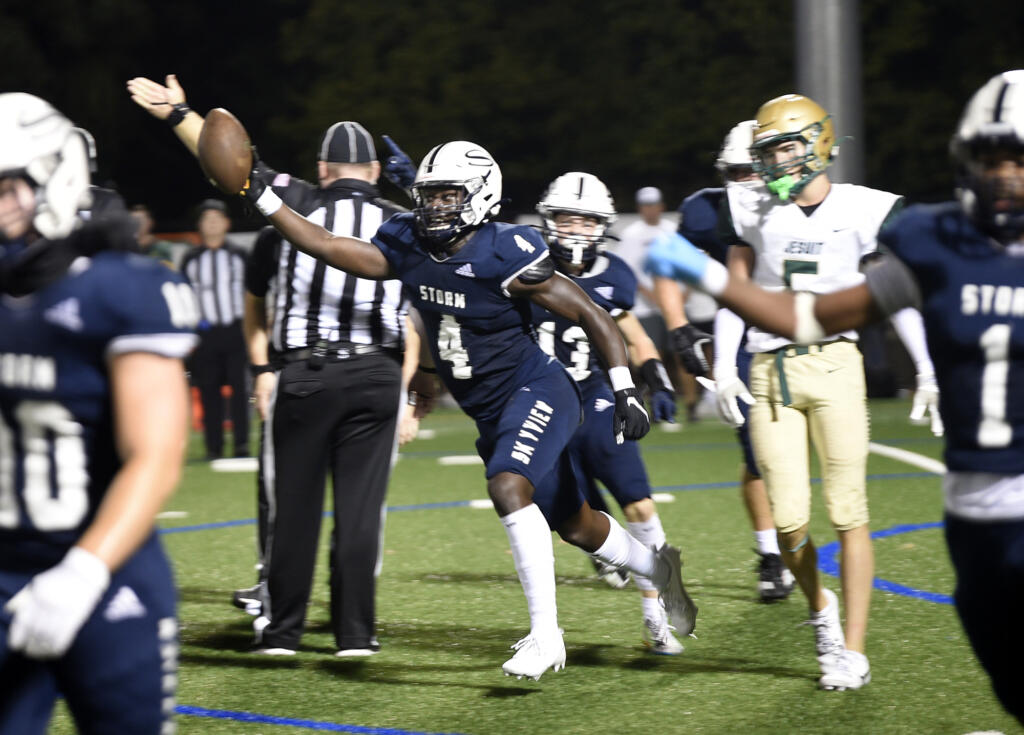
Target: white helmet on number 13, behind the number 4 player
point(583, 194)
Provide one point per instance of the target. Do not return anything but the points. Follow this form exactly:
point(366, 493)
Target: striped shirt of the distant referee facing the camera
point(218, 275)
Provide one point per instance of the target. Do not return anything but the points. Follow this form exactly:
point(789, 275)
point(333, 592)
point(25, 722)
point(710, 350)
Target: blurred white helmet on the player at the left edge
point(39, 144)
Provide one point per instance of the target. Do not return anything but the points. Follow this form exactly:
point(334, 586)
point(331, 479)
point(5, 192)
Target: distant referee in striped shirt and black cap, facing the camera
point(217, 272)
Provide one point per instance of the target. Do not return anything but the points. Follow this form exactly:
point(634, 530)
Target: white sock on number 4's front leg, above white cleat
point(530, 539)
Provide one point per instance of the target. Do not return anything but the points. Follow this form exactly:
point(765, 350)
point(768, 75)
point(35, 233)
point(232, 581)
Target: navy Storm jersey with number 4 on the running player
point(481, 337)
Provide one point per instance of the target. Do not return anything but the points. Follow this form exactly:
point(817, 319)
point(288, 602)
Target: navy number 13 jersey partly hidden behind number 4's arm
point(611, 284)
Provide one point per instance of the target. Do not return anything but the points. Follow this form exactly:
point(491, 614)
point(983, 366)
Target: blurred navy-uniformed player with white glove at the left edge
point(94, 411)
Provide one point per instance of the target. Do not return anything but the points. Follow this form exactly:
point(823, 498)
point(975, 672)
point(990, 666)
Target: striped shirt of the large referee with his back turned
point(308, 300)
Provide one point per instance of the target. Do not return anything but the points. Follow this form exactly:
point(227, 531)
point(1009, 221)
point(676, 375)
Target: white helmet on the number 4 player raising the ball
point(464, 166)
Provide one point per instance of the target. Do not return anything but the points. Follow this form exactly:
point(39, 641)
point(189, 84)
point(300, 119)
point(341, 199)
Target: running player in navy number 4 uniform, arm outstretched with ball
point(474, 281)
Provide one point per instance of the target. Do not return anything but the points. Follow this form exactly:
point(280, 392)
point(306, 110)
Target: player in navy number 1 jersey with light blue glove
point(962, 264)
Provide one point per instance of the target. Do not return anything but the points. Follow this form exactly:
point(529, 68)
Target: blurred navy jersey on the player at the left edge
point(58, 452)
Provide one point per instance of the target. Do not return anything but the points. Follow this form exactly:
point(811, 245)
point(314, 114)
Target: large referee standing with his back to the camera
point(327, 351)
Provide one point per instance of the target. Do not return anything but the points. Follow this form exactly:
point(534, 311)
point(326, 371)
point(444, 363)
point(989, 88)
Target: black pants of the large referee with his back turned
point(342, 416)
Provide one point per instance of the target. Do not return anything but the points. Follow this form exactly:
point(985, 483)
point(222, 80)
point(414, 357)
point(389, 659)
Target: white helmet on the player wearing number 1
point(993, 121)
